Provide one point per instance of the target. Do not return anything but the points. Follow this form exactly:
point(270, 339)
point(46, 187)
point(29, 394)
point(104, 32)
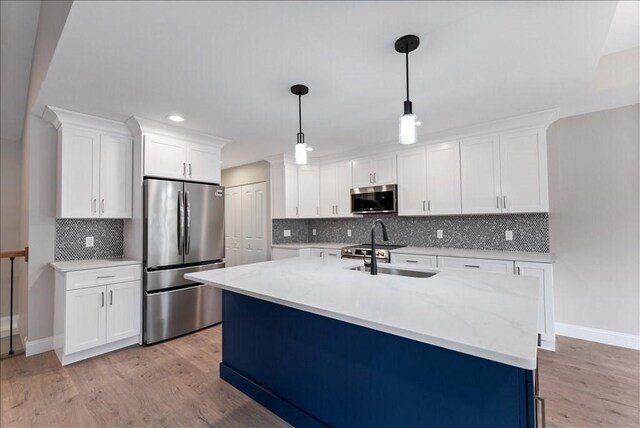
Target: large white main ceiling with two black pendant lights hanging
point(227, 66)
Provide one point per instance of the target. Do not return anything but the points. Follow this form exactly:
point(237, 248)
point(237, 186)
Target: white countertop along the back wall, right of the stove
point(519, 256)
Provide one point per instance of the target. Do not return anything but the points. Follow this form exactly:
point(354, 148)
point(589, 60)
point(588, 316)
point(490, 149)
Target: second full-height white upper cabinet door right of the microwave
point(443, 179)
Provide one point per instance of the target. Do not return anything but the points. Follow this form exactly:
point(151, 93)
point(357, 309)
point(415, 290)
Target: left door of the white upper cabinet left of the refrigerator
point(78, 173)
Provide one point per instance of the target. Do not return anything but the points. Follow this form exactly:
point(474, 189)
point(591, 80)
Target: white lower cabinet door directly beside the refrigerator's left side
point(123, 310)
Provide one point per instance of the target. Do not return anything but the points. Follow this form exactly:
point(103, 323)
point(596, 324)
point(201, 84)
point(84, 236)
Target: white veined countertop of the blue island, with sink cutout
point(492, 316)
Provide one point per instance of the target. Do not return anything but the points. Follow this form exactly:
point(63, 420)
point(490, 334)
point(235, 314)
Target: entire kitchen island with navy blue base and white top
point(322, 345)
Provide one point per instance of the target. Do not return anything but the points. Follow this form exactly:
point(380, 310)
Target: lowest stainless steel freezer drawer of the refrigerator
point(173, 313)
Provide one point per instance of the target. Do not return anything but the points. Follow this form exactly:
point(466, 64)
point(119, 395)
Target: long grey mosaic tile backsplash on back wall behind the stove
point(478, 232)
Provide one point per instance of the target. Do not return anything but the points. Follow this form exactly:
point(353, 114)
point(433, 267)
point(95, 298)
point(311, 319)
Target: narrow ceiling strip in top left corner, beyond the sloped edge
point(18, 28)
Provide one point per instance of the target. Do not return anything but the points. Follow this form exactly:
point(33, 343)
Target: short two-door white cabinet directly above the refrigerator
point(167, 157)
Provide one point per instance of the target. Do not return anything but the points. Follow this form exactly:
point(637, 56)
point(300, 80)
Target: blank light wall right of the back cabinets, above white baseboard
point(594, 191)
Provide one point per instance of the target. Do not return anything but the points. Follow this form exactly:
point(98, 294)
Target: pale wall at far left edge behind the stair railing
point(10, 178)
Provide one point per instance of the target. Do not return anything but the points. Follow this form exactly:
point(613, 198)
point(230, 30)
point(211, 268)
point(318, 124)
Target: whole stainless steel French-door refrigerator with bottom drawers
point(183, 233)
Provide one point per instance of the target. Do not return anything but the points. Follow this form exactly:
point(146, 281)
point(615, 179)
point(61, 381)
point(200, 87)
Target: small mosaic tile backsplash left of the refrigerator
point(71, 234)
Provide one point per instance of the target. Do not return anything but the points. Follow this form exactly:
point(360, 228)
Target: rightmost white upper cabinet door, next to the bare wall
point(523, 168)
